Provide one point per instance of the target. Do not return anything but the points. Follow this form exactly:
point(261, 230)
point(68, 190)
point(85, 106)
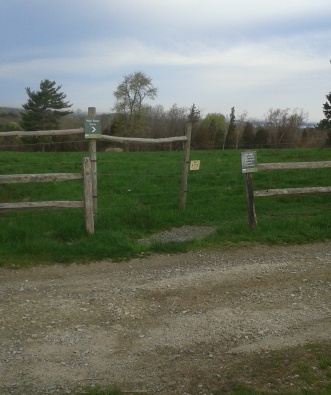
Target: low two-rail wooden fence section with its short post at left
point(87, 203)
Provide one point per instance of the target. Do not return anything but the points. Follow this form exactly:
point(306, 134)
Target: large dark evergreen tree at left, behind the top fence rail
point(44, 108)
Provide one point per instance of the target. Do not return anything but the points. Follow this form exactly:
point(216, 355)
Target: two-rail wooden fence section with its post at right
point(250, 193)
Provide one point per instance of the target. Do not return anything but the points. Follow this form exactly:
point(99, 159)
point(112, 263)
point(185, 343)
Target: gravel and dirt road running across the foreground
point(149, 324)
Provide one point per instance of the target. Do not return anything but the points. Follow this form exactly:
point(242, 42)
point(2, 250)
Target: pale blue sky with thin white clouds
point(253, 55)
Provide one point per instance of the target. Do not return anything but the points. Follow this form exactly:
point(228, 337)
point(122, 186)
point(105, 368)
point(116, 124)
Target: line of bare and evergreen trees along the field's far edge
point(49, 109)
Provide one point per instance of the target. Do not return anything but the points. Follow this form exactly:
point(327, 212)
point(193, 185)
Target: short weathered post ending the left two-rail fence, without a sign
point(88, 195)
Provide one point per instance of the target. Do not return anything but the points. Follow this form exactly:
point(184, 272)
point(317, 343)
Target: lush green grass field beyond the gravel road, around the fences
point(138, 195)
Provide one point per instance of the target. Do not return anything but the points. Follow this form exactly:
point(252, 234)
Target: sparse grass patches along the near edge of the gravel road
point(304, 370)
